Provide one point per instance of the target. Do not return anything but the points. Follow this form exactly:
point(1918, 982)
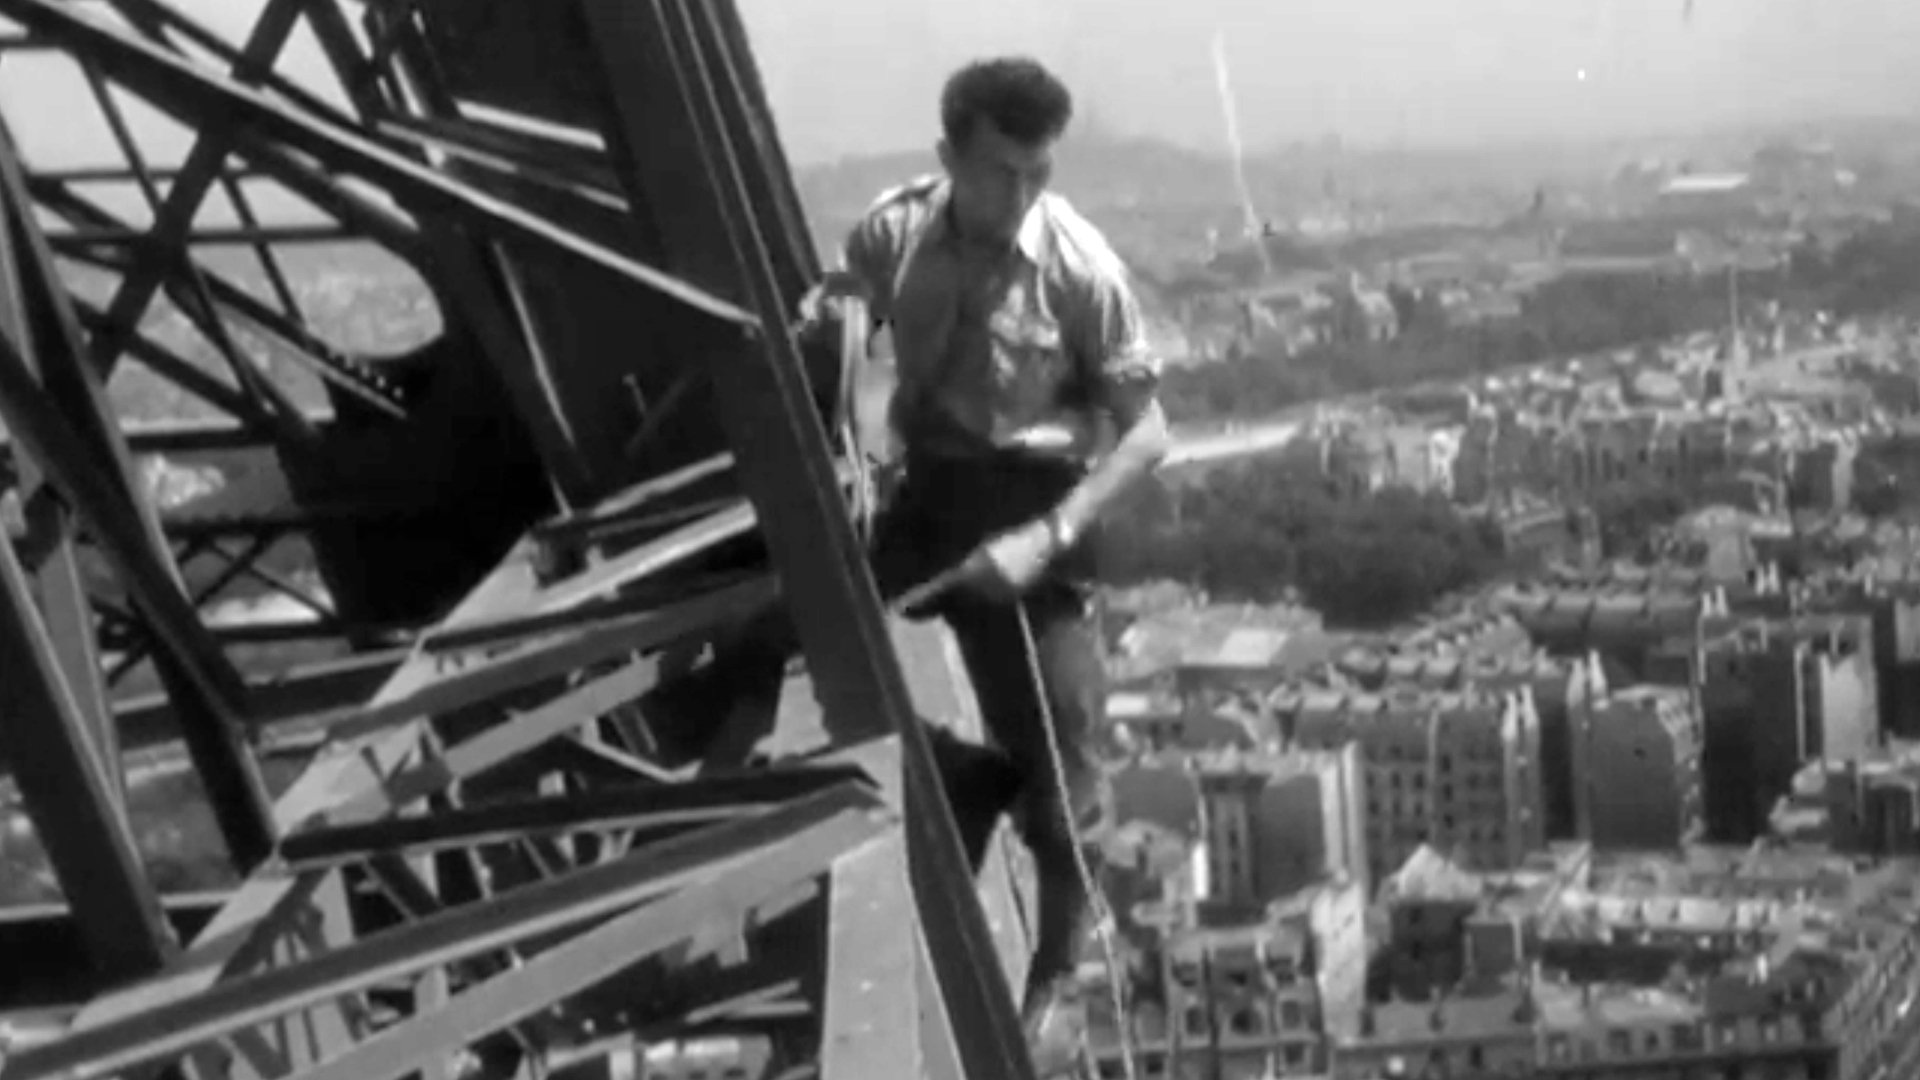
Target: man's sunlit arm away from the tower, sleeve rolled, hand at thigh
point(1124, 376)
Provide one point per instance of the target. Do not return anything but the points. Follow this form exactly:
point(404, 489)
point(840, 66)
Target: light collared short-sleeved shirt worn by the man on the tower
point(997, 343)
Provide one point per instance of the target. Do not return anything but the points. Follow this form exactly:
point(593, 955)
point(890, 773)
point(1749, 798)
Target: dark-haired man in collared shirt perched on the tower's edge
point(1024, 401)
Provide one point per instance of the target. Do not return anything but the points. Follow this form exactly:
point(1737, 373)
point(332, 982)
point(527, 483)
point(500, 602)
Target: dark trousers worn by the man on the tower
point(1044, 649)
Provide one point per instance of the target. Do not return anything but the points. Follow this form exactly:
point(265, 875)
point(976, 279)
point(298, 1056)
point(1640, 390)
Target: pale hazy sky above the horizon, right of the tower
point(861, 76)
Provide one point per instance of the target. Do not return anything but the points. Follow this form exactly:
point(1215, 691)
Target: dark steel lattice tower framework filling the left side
point(458, 330)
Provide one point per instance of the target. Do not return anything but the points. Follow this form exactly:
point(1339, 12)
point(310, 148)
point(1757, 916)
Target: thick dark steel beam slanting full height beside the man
point(665, 112)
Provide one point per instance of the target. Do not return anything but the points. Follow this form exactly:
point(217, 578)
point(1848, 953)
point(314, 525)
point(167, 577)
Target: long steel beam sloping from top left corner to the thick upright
point(191, 95)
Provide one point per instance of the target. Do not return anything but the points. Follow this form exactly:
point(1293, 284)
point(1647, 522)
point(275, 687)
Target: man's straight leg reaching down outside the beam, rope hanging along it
point(1049, 747)
